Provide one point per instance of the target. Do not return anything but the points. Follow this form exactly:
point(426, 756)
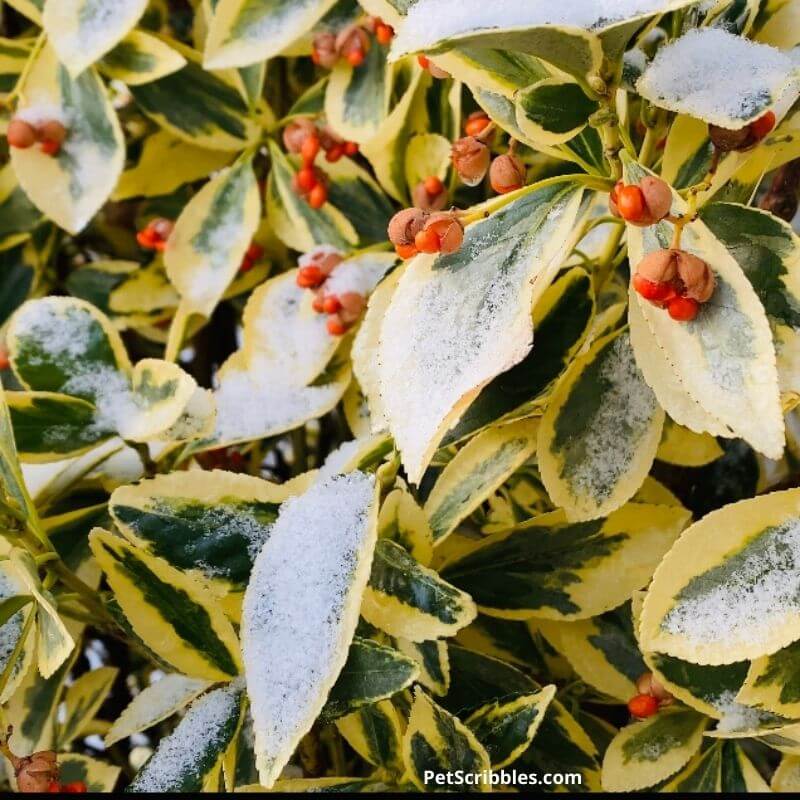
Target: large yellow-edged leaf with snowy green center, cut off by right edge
point(719, 600)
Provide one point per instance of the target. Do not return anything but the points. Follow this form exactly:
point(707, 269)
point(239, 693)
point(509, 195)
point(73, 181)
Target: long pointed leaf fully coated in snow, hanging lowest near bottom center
point(301, 609)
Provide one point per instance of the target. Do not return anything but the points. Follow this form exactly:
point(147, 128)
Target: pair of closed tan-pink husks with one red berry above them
point(472, 158)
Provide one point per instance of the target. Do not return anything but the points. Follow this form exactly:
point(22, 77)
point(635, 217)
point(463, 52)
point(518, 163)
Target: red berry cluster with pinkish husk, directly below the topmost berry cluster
point(302, 137)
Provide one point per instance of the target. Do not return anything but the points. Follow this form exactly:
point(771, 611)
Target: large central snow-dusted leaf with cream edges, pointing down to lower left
point(455, 323)
